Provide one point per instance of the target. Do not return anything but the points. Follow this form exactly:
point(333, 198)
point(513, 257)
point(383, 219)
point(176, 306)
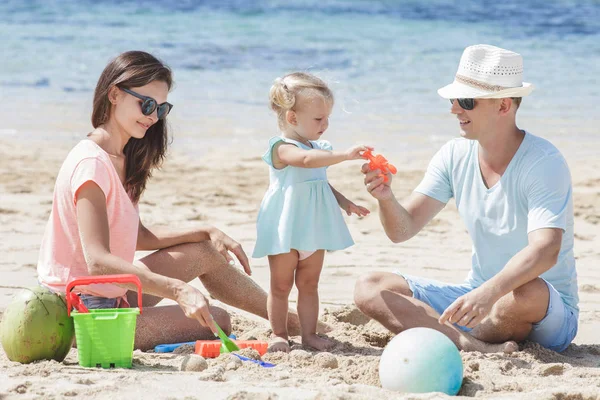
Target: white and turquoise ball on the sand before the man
point(421, 360)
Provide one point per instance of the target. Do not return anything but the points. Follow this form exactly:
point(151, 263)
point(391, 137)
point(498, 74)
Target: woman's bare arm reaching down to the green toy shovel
point(94, 234)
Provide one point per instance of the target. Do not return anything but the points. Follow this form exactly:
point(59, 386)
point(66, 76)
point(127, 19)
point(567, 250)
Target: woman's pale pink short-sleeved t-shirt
point(61, 256)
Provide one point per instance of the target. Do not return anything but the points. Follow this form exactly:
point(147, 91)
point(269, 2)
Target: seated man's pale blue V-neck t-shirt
point(533, 193)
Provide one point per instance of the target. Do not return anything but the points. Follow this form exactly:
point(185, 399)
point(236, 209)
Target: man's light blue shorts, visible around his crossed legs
point(555, 331)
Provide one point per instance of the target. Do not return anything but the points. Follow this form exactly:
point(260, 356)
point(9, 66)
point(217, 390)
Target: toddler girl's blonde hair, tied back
point(285, 91)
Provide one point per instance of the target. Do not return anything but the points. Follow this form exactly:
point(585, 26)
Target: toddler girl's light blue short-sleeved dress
point(299, 210)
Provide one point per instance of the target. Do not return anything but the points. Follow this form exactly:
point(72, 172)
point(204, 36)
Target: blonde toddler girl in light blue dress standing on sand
point(299, 217)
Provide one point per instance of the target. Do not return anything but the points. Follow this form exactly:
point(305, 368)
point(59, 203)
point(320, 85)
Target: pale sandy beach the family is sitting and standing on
point(190, 191)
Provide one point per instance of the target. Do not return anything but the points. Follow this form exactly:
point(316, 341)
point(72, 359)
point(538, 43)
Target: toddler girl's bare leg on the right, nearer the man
point(307, 282)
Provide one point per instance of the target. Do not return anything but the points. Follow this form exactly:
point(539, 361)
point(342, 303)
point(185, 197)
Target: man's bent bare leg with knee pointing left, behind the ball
point(387, 298)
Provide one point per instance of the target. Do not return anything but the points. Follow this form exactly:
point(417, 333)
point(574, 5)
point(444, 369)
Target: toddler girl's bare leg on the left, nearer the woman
point(282, 279)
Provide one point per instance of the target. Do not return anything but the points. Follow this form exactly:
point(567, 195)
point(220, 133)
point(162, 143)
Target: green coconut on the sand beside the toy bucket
point(35, 326)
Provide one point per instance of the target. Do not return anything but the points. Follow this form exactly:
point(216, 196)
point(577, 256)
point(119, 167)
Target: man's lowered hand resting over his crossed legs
point(469, 310)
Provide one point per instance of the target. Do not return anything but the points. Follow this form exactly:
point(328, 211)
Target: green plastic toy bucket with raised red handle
point(105, 337)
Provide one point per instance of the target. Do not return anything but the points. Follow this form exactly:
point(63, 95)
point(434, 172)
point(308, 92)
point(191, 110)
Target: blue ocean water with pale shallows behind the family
point(384, 60)
